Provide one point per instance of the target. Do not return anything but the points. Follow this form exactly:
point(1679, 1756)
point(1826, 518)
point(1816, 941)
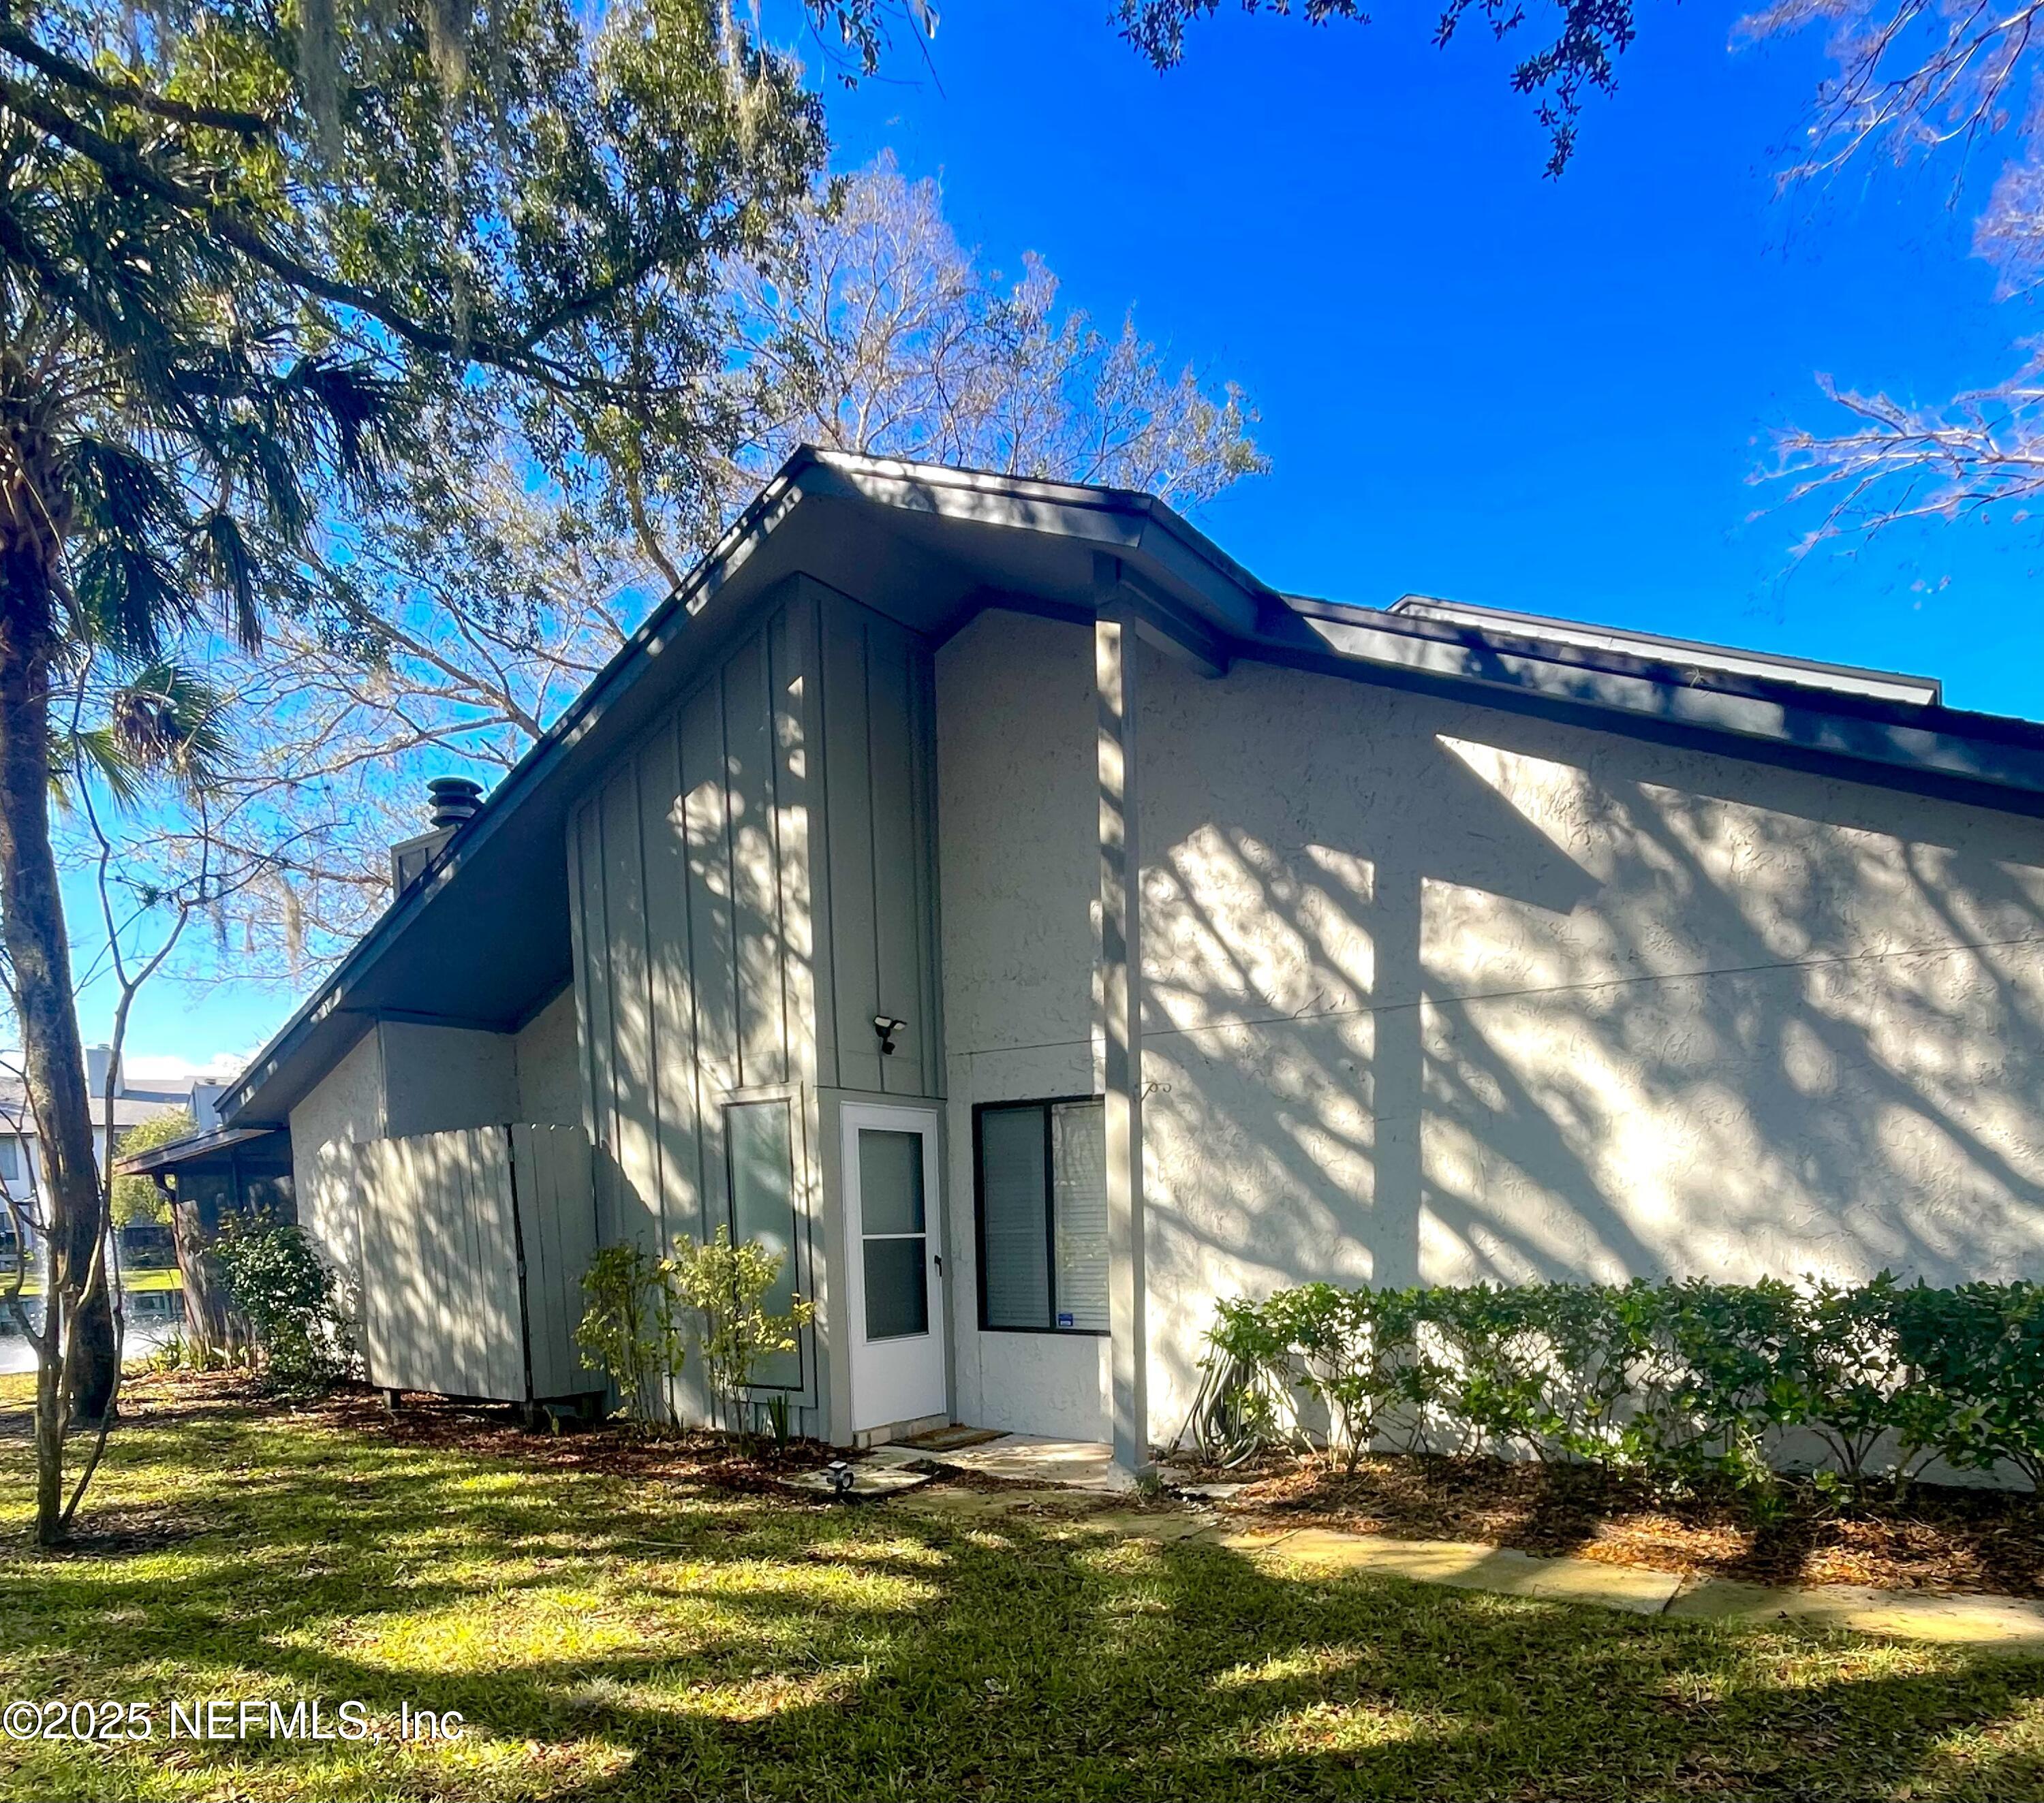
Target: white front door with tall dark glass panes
point(894, 1281)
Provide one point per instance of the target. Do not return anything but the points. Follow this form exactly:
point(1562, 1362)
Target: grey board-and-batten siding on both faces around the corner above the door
point(751, 884)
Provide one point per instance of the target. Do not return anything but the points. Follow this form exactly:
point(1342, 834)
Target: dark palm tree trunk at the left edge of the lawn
point(54, 1066)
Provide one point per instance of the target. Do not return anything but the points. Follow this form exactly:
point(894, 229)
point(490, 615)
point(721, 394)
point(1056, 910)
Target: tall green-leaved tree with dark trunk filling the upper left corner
point(250, 263)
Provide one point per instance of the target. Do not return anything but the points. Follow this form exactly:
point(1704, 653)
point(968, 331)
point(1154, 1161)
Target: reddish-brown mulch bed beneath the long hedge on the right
point(1937, 1538)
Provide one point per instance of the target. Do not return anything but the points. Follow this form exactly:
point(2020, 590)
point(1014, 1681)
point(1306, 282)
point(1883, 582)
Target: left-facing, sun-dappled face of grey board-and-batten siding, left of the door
point(690, 892)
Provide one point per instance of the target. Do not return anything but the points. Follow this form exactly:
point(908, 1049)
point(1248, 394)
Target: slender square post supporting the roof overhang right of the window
point(1121, 990)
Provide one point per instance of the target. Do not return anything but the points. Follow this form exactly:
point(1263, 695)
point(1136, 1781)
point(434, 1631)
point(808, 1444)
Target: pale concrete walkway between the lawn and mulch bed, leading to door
point(1984, 1622)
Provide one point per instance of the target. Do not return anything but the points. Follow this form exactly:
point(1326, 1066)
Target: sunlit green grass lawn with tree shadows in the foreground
point(635, 1634)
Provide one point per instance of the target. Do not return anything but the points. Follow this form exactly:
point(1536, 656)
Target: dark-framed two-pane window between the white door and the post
point(1043, 1217)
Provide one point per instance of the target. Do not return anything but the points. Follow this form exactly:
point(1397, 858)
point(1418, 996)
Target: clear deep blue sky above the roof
point(1475, 381)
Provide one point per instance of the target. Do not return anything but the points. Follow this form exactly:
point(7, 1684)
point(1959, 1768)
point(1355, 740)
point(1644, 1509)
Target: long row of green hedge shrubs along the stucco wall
point(1673, 1383)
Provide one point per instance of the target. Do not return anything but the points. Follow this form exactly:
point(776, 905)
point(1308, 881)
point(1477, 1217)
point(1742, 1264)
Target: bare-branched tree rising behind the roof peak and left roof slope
point(492, 602)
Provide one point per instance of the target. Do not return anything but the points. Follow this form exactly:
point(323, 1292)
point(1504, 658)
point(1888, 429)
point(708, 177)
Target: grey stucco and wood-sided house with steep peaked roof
point(1001, 900)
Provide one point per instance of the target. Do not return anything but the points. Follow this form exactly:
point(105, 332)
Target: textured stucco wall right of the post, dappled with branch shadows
point(1440, 995)
